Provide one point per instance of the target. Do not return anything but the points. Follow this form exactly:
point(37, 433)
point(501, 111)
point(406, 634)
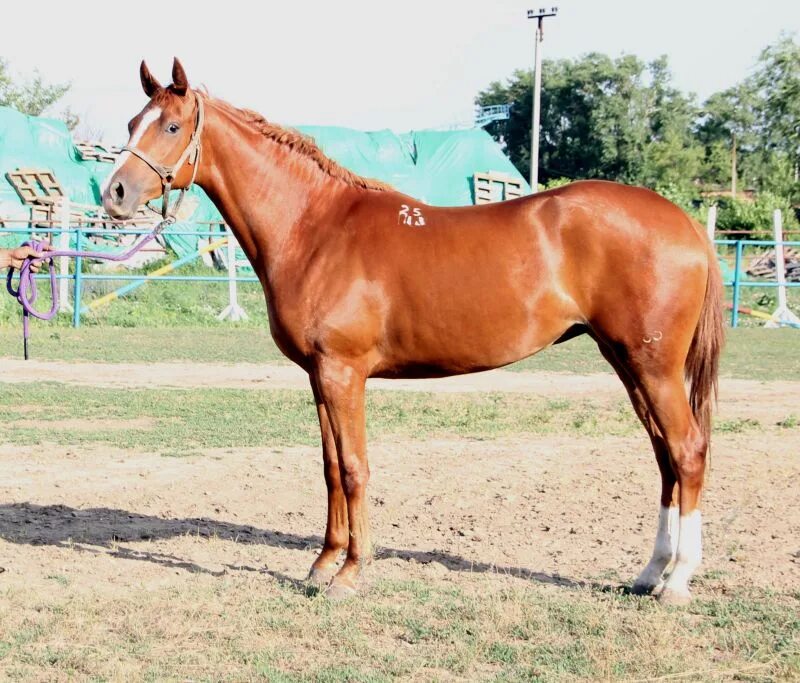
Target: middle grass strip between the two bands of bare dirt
point(166, 420)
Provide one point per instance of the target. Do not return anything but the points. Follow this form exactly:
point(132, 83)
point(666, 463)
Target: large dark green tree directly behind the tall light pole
point(618, 119)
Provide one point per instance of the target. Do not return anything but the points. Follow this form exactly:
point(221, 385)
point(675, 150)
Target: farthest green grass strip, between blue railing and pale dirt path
point(750, 353)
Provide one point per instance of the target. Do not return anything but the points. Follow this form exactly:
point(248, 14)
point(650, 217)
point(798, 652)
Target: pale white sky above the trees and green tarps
point(368, 65)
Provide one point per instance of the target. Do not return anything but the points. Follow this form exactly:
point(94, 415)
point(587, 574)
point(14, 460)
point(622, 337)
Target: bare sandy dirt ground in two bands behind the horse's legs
point(561, 510)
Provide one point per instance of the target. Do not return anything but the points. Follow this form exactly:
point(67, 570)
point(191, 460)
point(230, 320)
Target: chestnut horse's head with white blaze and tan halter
point(163, 149)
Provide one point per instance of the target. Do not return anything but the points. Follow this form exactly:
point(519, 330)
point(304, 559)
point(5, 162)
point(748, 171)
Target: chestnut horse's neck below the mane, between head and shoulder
point(262, 191)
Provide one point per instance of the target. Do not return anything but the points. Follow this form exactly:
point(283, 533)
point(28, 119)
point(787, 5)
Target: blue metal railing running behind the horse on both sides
point(737, 283)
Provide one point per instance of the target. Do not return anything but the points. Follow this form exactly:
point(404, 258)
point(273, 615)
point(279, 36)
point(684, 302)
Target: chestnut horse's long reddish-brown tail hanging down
point(702, 362)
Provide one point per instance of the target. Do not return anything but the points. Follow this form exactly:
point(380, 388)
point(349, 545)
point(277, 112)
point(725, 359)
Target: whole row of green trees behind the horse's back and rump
point(623, 119)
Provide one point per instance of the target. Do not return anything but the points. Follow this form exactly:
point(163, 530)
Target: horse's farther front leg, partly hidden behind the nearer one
point(336, 531)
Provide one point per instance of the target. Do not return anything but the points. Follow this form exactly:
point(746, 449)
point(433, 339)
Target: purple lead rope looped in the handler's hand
point(26, 292)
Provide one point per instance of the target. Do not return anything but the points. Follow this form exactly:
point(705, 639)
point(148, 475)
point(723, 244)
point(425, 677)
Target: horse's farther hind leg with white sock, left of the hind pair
point(651, 578)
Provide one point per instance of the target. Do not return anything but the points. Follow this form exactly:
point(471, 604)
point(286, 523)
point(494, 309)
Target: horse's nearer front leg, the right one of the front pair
point(341, 387)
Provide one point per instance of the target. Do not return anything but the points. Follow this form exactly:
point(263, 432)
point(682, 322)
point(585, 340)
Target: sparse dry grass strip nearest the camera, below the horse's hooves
point(231, 630)
